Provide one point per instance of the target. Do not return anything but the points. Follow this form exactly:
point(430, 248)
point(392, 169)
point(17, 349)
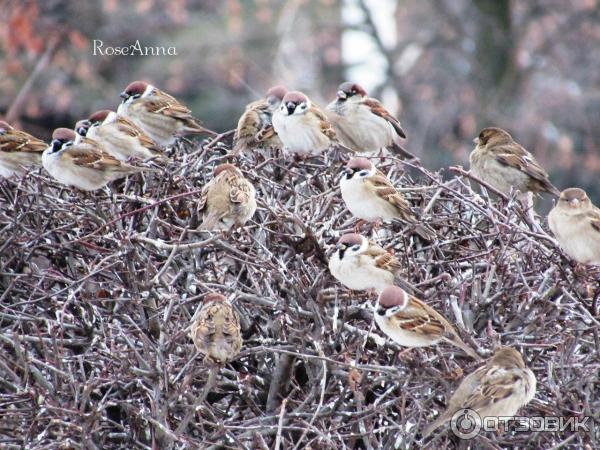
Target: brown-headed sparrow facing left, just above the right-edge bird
point(504, 164)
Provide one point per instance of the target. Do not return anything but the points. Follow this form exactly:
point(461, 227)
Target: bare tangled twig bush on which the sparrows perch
point(97, 293)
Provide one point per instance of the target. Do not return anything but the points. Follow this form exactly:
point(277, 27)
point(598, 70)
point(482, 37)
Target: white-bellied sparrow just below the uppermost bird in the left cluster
point(119, 136)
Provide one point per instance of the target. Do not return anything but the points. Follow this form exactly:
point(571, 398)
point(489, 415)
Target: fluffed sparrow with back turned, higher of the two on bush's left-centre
point(227, 200)
